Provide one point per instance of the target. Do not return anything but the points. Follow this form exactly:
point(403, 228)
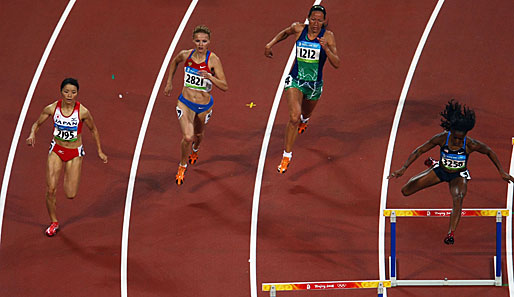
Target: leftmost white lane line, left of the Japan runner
point(25, 108)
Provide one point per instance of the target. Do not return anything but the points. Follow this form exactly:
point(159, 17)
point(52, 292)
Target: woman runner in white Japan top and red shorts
point(66, 146)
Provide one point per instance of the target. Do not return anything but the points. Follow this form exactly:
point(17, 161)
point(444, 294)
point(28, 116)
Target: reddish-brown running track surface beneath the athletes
point(319, 221)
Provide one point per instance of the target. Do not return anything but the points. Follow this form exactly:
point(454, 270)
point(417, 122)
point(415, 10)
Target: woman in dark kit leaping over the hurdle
point(454, 155)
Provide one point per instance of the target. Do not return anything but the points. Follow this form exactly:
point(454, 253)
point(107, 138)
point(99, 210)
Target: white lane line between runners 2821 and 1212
point(260, 169)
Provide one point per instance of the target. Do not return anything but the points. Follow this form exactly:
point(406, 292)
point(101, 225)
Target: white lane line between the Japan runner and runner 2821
point(139, 146)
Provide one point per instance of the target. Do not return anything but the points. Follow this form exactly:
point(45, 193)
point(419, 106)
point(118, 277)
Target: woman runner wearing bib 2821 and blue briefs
point(202, 69)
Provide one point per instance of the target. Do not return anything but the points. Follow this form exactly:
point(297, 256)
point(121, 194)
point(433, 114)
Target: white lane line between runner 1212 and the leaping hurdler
point(392, 139)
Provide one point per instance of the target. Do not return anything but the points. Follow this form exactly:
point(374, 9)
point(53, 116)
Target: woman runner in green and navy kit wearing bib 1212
point(304, 84)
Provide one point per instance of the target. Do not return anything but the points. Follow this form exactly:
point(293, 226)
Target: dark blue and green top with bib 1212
point(310, 58)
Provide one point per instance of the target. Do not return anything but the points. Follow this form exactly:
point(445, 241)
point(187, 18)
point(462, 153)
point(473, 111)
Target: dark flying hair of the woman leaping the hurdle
point(457, 117)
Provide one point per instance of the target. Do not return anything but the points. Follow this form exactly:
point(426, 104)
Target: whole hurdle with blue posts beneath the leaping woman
point(394, 213)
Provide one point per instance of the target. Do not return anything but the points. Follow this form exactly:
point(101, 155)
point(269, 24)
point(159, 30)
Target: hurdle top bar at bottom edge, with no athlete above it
point(321, 286)
